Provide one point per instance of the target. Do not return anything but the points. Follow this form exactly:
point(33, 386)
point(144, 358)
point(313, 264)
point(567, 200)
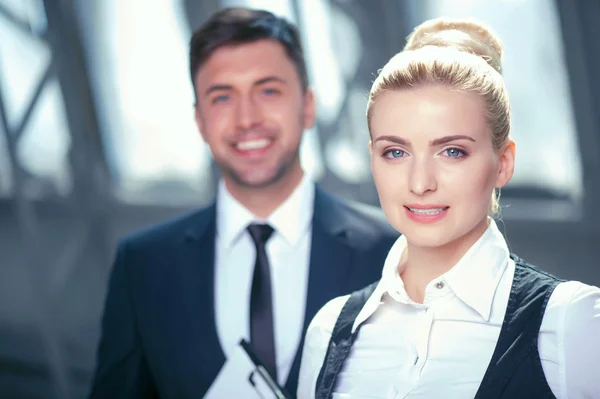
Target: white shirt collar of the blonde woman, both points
point(474, 279)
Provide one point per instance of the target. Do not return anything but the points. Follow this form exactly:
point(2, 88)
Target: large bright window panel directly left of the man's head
point(145, 99)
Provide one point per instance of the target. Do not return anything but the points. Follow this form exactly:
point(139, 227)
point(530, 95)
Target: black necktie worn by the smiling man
point(262, 337)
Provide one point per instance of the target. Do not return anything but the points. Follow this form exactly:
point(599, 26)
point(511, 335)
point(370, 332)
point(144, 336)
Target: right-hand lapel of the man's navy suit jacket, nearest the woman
point(330, 263)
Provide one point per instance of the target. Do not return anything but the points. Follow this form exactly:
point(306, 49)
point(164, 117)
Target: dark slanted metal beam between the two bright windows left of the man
point(88, 163)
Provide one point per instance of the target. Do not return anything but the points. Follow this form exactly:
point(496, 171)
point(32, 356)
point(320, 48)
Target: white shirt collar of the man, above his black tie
point(291, 219)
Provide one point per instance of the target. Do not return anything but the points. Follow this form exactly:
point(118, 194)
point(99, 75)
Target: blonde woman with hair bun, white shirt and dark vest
point(455, 314)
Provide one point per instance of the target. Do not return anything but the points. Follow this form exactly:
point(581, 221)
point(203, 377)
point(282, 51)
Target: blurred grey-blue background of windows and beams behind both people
point(97, 139)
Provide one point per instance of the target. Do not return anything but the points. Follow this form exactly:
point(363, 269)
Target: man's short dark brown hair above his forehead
point(232, 26)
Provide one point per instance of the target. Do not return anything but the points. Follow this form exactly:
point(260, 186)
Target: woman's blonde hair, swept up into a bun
point(462, 54)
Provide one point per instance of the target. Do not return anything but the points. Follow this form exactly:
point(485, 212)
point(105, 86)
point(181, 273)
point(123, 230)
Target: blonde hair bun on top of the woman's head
point(462, 34)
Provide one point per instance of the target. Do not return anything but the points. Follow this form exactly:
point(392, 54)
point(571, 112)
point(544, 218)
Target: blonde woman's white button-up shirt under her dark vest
point(442, 348)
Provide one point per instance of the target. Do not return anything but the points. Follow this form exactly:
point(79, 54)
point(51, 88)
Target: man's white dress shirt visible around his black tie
point(288, 251)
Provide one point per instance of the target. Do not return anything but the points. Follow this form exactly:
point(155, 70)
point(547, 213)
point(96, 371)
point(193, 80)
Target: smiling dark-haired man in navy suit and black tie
point(260, 261)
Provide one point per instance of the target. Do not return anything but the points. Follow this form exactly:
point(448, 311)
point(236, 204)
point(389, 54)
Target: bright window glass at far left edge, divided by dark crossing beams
point(44, 142)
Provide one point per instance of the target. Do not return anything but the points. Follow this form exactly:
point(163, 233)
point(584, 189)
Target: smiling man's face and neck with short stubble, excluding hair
point(252, 109)
